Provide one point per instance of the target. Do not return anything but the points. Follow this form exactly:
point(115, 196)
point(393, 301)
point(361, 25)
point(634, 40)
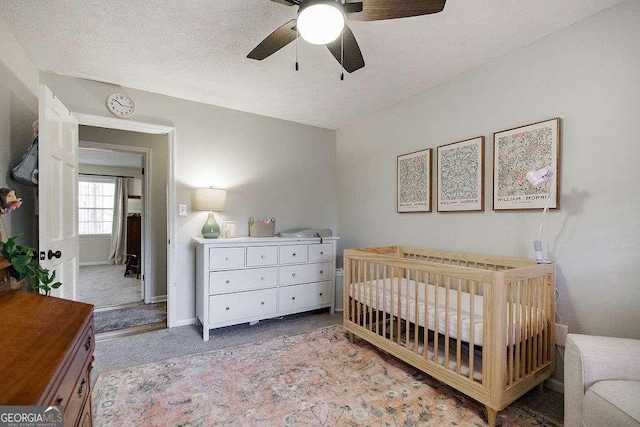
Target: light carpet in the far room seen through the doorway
point(106, 286)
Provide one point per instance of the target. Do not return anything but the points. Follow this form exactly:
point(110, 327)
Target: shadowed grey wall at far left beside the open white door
point(18, 111)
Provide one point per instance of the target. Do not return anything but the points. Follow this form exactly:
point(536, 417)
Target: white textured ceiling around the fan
point(197, 50)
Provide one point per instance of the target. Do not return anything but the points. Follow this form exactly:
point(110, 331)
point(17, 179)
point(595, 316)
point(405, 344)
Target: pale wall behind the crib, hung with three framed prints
point(587, 74)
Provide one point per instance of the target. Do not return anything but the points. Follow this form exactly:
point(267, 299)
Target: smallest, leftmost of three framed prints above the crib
point(414, 182)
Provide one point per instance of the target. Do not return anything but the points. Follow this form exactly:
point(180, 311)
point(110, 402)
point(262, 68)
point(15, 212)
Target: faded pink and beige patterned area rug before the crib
point(316, 379)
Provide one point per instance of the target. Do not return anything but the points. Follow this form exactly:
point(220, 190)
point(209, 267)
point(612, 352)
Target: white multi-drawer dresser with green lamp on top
point(254, 278)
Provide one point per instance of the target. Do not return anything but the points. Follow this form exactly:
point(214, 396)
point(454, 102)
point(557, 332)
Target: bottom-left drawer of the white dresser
point(242, 305)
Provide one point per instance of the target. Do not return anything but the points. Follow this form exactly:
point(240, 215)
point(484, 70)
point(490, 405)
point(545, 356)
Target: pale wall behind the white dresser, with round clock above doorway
point(270, 167)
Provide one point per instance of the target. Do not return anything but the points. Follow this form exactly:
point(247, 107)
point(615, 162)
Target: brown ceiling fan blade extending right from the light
point(377, 10)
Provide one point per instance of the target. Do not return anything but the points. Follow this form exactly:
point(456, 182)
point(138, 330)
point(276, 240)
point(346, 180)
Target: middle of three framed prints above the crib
point(460, 176)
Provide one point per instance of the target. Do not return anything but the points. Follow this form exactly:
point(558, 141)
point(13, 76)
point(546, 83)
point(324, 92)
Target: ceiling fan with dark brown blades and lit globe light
point(317, 17)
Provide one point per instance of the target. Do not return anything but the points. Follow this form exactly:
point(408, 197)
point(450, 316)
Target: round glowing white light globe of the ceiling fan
point(320, 22)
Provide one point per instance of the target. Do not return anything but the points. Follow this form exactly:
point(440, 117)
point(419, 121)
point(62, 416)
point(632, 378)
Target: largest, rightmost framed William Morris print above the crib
point(519, 154)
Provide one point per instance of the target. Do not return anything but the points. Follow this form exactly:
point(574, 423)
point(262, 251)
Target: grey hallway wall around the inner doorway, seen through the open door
point(156, 268)
